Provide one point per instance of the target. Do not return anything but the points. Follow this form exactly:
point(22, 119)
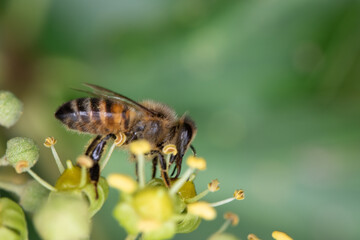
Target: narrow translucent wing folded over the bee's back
point(106, 93)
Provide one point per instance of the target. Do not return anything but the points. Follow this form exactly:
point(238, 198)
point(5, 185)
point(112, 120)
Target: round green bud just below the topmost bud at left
point(22, 153)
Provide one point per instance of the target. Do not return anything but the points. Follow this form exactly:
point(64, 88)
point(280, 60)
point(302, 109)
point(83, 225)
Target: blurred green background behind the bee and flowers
point(272, 85)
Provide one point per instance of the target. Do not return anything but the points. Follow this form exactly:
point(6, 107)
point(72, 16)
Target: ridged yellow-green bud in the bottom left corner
point(12, 221)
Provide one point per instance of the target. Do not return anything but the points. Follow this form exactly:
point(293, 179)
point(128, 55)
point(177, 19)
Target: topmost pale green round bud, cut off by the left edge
point(10, 109)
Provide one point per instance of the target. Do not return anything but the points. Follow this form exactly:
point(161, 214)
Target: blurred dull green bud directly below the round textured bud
point(33, 196)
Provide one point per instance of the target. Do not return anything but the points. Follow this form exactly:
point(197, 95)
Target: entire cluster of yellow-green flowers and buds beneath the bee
point(147, 210)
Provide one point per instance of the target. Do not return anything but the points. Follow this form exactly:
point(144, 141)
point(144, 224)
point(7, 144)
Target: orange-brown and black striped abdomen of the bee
point(95, 115)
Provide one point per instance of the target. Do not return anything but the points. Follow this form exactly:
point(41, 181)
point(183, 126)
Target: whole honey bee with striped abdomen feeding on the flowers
point(107, 114)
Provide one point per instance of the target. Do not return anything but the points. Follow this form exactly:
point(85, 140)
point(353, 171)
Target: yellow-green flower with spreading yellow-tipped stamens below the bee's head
point(152, 210)
